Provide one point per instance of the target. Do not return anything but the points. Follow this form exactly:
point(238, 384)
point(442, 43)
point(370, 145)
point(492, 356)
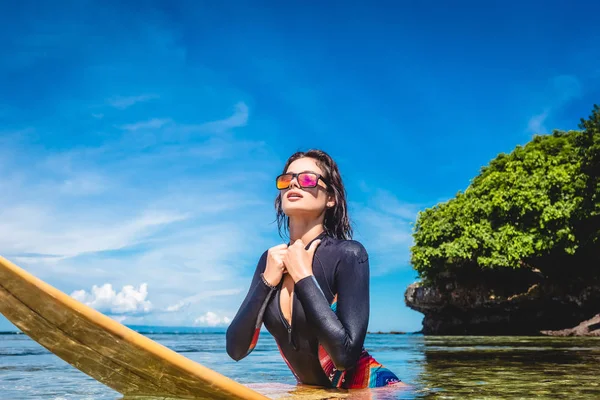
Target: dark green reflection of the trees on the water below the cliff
point(511, 367)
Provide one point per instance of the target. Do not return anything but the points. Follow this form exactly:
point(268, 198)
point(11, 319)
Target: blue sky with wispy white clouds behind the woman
point(139, 142)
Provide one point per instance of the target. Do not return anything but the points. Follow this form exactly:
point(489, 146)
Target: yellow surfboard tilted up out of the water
point(104, 349)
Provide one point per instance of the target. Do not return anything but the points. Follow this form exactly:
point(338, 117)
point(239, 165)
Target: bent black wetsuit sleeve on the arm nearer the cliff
point(342, 332)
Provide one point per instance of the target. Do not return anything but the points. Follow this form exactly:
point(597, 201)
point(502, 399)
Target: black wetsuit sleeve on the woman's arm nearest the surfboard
point(242, 333)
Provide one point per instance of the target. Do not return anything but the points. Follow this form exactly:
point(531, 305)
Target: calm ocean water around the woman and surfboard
point(434, 367)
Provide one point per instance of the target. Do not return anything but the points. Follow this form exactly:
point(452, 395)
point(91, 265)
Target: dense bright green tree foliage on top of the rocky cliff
point(537, 207)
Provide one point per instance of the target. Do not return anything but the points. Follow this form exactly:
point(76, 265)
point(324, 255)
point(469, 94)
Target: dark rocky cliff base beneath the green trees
point(486, 307)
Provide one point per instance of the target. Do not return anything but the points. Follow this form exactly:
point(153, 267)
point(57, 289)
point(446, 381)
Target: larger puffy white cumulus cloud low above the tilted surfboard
point(105, 299)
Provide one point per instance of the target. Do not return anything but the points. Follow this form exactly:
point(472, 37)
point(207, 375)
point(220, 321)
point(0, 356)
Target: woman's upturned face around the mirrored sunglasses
point(306, 202)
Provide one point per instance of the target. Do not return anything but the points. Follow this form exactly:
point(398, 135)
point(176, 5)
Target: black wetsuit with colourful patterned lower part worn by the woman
point(323, 345)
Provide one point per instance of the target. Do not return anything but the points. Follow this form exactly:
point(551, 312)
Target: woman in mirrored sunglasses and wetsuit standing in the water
point(313, 294)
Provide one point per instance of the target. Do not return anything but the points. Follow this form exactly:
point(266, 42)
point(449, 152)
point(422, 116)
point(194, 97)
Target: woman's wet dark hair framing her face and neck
point(336, 222)
